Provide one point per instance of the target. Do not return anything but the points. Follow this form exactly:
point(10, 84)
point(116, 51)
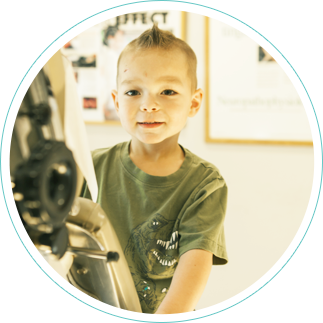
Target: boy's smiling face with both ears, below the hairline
point(154, 87)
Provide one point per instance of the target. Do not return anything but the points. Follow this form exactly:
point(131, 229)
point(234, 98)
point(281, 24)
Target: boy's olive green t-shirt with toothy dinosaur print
point(159, 218)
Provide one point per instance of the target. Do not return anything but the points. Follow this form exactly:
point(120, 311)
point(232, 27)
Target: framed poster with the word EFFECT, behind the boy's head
point(94, 47)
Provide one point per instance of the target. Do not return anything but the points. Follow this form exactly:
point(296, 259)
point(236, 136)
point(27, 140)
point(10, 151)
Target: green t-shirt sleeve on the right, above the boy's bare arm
point(201, 226)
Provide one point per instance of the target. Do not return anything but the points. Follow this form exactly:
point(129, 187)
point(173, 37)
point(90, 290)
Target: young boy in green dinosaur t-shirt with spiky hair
point(166, 204)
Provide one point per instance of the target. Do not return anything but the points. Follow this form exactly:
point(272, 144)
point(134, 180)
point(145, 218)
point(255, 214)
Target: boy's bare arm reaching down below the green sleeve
point(188, 283)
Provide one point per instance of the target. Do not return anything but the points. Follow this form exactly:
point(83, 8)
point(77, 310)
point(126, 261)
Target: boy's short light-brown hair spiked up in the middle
point(162, 39)
